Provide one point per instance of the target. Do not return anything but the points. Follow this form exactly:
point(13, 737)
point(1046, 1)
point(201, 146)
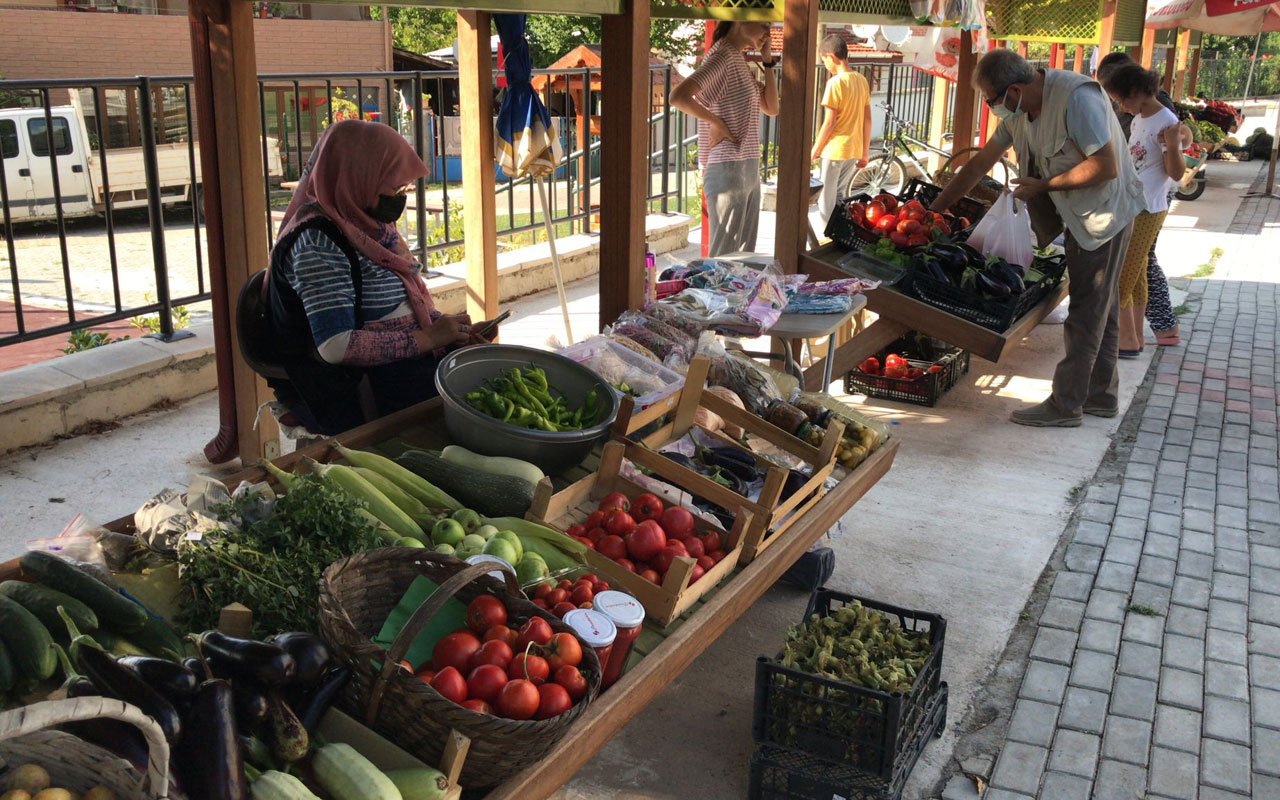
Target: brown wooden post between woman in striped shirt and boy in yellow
point(796, 130)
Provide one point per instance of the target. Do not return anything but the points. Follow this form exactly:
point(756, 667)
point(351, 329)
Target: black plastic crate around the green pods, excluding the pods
point(842, 723)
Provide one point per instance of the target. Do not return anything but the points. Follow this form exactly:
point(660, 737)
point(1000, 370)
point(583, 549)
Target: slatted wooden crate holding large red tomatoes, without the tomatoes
point(662, 602)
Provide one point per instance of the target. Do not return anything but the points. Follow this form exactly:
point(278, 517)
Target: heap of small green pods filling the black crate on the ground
point(858, 646)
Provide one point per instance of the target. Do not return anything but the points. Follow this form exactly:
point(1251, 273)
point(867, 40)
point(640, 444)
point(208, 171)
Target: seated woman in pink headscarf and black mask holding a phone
point(348, 299)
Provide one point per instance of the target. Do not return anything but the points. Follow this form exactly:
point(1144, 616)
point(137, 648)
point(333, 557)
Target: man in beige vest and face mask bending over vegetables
point(1076, 175)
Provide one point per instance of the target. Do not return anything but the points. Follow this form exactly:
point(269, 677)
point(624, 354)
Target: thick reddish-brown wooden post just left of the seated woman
point(231, 157)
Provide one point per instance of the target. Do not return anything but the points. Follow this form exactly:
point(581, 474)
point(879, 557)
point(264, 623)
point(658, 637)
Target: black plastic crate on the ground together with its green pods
point(856, 688)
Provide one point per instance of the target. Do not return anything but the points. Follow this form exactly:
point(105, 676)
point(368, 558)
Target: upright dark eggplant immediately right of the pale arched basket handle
point(209, 758)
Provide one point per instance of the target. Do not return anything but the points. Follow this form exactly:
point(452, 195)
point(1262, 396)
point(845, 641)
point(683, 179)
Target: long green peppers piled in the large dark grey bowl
point(524, 399)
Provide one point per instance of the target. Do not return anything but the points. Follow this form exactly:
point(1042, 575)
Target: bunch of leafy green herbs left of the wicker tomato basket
point(273, 566)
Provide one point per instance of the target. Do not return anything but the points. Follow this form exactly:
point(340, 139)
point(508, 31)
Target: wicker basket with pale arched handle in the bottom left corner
point(76, 765)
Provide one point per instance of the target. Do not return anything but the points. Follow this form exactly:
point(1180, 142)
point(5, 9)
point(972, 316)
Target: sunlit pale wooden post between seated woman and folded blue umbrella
point(476, 104)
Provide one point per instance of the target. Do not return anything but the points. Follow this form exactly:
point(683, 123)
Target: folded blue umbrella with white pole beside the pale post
point(525, 138)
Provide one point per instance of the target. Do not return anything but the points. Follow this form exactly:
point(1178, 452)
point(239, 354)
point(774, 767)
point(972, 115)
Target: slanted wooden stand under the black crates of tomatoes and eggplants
point(898, 314)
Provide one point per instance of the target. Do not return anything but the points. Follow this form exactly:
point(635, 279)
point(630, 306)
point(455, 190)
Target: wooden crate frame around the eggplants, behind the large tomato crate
point(770, 514)
